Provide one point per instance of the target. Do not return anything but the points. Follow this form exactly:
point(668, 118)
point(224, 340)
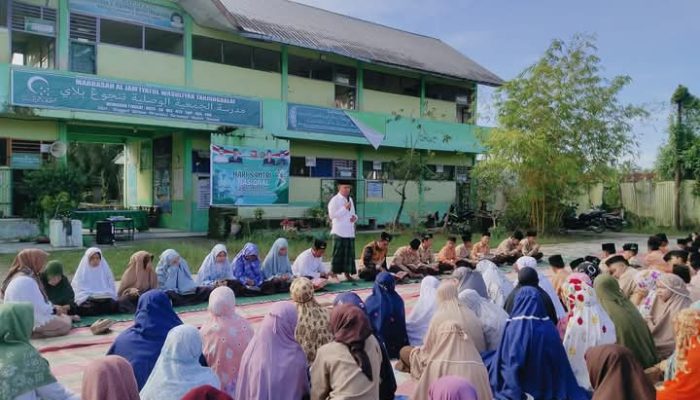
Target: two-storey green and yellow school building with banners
point(330, 95)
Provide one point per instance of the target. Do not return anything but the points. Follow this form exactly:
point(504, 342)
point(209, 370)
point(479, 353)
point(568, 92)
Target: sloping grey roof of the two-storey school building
point(300, 25)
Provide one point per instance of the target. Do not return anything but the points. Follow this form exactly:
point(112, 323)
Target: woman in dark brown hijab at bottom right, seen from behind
point(616, 374)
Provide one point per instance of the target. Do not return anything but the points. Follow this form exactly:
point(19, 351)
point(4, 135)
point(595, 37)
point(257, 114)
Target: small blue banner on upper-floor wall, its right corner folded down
point(322, 120)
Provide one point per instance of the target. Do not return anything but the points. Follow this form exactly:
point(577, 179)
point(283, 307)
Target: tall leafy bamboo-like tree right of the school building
point(560, 127)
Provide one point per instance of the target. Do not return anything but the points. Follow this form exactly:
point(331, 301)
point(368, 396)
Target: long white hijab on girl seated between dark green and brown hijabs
point(93, 281)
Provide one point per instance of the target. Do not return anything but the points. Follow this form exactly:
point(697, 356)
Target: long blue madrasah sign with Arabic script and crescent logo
point(40, 89)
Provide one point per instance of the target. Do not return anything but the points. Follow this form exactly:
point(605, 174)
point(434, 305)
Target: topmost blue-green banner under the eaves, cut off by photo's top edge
point(137, 11)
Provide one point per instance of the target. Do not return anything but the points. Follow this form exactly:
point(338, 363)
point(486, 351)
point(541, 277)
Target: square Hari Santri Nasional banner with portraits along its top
point(249, 176)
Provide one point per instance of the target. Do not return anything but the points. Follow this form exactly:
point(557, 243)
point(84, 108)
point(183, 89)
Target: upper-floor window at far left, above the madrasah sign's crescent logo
point(31, 50)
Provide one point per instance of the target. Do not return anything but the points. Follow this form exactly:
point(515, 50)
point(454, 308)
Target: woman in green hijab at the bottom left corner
point(25, 374)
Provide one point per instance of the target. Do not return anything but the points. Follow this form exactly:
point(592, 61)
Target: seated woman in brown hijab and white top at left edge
point(23, 284)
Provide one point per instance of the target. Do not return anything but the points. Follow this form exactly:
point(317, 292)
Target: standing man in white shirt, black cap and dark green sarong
point(341, 211)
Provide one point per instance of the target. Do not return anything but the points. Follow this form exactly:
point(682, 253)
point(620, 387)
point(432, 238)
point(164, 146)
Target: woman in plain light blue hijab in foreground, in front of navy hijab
point(177, 370)
